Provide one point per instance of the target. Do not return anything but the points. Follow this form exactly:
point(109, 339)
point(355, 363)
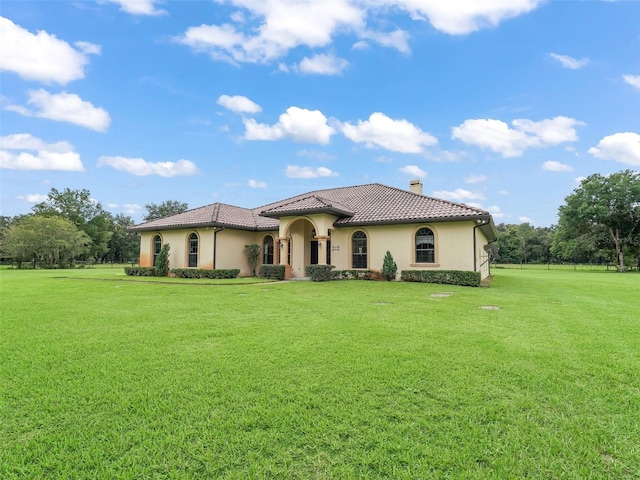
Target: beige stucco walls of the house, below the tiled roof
point(454, 245)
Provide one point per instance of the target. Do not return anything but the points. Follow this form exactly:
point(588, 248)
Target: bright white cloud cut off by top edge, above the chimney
point(463, 17)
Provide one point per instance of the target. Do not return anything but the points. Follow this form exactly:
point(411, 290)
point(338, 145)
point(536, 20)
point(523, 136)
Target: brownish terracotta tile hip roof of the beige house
point(357, 205)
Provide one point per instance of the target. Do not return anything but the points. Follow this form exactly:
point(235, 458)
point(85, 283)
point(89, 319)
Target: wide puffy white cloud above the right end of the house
point(512, 142)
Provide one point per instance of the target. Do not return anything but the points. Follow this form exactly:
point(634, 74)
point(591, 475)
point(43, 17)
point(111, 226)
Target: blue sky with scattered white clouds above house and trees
point(504, 105)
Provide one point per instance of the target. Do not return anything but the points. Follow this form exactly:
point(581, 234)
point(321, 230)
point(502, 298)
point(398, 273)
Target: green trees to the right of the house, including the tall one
point(599, 223)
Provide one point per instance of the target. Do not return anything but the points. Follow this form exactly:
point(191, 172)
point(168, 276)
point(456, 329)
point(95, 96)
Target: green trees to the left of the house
point(70, 227)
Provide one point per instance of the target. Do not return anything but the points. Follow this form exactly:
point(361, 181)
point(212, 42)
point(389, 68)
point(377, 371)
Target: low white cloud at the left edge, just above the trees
point(54, 156)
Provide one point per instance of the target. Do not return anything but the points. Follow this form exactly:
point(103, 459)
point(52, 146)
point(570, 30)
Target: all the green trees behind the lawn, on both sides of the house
point(599, 223)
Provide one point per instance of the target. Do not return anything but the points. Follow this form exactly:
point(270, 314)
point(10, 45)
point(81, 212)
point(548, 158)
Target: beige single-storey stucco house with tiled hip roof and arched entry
point(349, 227)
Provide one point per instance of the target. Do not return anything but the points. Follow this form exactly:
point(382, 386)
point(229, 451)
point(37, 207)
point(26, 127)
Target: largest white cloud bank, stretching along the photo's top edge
point(264, 31)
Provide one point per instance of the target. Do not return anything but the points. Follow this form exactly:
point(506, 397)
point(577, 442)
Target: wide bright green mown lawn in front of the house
point(107, 378)
